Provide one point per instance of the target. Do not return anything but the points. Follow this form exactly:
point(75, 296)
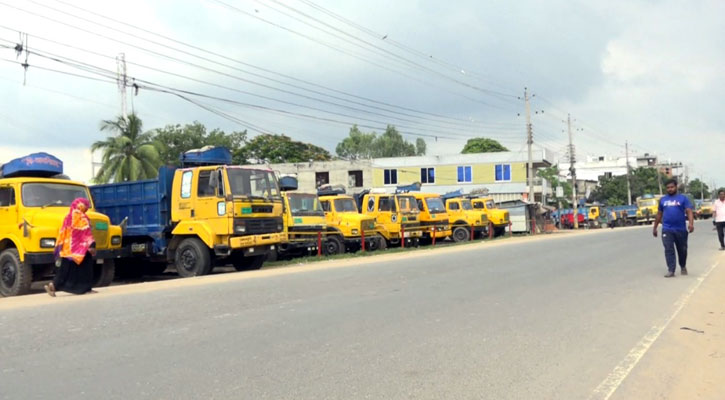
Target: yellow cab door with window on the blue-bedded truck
point(209, 204)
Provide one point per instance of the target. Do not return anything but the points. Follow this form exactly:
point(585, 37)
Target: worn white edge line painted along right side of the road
point(606, 389)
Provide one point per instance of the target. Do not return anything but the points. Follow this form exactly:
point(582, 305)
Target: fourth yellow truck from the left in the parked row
point(342, 217)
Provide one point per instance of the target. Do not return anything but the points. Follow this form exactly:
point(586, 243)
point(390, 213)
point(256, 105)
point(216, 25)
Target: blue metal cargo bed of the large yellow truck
point(146, 204)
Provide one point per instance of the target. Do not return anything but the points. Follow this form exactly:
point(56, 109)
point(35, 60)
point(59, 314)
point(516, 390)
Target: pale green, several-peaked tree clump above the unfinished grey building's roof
point(360, 145)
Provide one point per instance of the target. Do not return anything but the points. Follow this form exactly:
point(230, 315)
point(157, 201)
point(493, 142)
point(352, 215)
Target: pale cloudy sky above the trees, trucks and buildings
point(647, 72)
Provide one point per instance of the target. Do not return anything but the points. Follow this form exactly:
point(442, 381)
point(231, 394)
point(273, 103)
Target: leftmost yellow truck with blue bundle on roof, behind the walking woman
point(34, 200)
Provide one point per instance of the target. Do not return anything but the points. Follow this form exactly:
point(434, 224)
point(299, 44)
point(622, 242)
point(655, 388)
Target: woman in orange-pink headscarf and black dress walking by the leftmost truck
point(74, 250)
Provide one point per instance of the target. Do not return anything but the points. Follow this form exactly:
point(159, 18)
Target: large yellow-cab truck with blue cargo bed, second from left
point(205, 213)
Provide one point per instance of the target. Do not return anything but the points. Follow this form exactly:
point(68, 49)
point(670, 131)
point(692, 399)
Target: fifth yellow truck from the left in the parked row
point(396, 216)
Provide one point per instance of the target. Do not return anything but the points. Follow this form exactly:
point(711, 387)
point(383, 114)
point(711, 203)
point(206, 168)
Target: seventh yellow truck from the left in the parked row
point(464, 218)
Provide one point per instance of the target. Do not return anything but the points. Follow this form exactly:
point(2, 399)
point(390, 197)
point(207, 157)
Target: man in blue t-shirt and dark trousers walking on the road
point(671, 212)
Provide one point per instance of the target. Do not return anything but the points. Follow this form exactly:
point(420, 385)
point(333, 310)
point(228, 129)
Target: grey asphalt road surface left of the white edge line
point(546, 318)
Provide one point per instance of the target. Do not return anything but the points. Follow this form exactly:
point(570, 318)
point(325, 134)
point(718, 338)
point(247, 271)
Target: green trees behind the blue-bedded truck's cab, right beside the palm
point(177, 139)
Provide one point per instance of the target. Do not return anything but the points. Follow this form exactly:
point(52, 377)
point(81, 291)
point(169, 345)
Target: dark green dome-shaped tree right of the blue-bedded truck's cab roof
point(268, 148)
